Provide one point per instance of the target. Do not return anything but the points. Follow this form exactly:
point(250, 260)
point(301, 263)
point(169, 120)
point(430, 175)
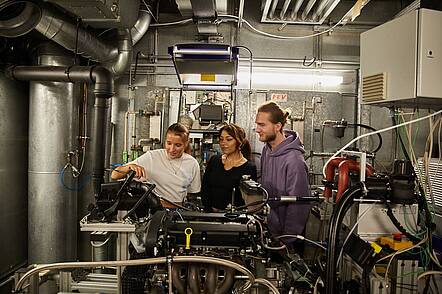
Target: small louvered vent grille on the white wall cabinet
point(374, 87)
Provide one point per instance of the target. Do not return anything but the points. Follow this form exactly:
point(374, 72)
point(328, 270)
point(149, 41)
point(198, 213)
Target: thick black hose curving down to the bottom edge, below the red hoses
point(336, 219)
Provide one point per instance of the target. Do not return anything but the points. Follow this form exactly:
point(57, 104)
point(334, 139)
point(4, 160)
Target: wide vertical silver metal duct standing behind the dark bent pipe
point(53, 127)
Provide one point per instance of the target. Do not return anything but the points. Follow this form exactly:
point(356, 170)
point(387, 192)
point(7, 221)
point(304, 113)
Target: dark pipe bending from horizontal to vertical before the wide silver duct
point(103, 81)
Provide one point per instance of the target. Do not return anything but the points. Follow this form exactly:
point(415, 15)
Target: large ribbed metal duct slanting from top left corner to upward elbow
point(55, 26)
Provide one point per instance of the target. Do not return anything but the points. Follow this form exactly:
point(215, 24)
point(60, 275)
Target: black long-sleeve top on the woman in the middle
point(218, 183)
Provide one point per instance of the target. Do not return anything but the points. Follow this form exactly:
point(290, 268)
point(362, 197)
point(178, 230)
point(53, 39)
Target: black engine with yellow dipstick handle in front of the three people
point(237, 236)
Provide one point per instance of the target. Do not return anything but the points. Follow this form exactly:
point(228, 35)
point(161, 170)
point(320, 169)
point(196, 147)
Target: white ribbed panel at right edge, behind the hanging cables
point(432, 182)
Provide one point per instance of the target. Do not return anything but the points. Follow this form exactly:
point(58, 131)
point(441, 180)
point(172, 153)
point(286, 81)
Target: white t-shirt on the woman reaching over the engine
point(174, 178)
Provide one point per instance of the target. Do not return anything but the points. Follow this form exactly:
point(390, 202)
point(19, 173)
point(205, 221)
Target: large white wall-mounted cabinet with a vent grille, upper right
point(401, 61)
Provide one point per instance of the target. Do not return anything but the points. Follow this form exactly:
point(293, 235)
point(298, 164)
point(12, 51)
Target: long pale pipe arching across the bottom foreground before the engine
point(145, 261)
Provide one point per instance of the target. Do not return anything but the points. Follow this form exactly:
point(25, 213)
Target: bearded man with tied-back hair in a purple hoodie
point(283, 171)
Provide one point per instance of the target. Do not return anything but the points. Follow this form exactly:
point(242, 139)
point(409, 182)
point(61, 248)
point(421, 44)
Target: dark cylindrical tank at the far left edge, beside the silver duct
point(13, 174)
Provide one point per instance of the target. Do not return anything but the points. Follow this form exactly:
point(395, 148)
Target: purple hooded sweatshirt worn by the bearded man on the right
point(285, 173)
